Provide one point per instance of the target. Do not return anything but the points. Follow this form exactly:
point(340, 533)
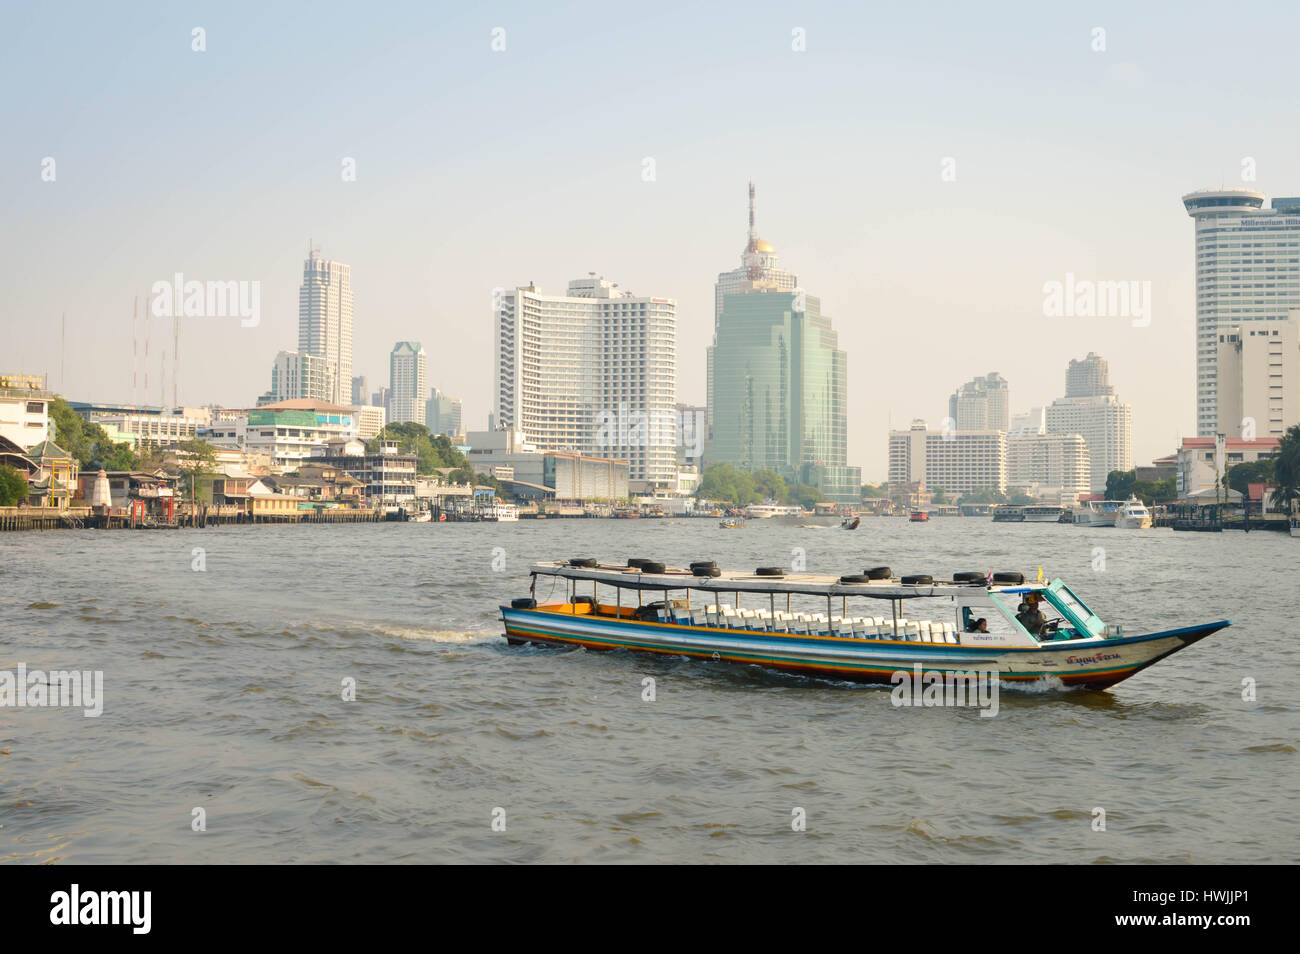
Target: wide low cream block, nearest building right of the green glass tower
point(957, 462)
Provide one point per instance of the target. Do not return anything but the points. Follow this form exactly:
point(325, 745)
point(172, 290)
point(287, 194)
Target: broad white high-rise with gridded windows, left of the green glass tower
point(591, 372)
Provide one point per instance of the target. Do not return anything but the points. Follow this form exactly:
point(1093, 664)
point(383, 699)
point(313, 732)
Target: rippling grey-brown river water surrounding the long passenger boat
point(223, 691)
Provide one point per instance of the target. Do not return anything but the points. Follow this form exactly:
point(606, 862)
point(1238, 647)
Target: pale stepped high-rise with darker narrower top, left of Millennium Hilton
point(1100, 419)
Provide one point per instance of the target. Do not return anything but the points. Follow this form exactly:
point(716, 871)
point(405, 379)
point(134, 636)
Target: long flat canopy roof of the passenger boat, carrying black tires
point(736, 582)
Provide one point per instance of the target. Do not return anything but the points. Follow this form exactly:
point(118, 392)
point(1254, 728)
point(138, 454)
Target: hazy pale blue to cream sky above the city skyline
point(479, 170)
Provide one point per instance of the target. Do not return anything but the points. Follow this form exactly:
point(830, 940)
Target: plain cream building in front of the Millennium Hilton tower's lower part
point(1259, 378)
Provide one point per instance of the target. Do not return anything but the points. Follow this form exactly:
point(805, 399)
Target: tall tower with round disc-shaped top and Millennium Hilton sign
point(1247, 270)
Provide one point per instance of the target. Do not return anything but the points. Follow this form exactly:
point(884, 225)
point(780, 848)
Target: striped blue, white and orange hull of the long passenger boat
point(1090, 665)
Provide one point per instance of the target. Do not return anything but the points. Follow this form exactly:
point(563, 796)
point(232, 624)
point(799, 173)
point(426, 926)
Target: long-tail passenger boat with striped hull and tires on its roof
point(863, 627)
